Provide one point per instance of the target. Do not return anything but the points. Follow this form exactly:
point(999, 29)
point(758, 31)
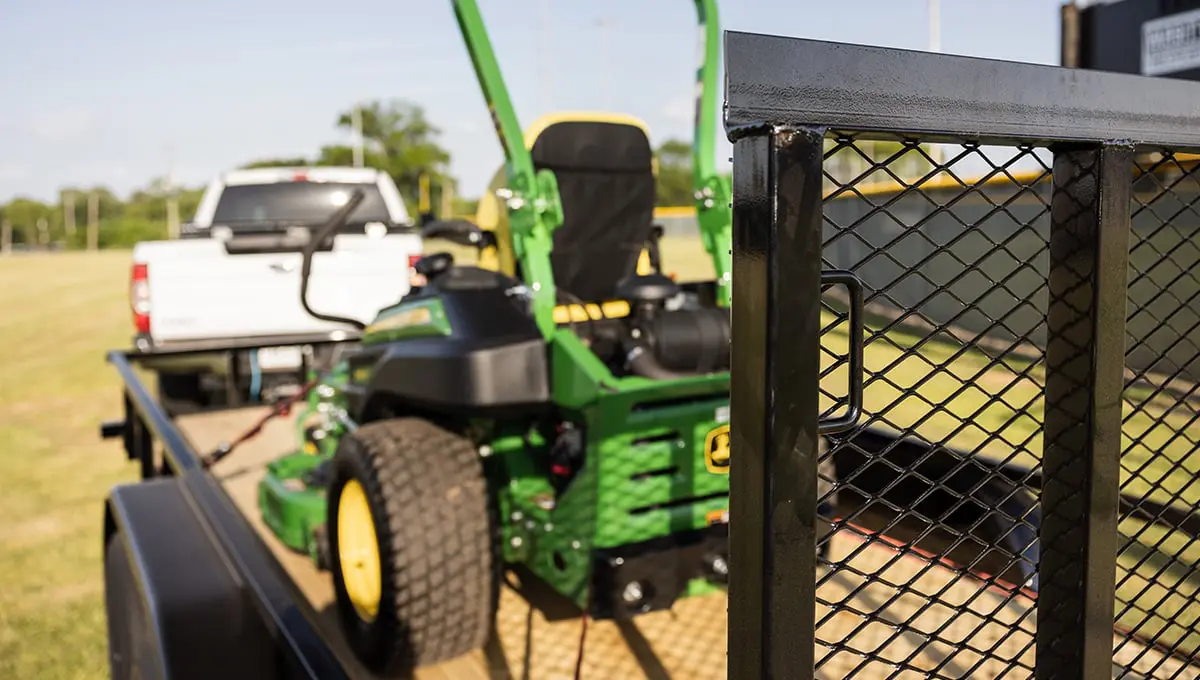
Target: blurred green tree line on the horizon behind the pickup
point(398, 136)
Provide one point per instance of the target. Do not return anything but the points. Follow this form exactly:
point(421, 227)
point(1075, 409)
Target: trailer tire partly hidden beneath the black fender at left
point(131, 653)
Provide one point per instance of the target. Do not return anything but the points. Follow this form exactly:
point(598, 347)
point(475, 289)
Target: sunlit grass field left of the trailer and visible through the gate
point(64, 311)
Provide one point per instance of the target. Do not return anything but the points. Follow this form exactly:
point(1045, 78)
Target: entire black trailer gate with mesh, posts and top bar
point(1010, 490)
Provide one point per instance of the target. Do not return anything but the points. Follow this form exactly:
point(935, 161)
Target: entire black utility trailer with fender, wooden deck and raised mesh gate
point(995, 315)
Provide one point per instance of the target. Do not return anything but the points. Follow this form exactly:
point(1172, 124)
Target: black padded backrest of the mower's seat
point(605, 173)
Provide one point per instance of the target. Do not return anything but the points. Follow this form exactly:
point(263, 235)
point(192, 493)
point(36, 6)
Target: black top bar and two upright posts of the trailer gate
point(784, 95)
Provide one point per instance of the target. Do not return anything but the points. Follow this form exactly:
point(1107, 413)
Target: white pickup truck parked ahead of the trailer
point(235, 278)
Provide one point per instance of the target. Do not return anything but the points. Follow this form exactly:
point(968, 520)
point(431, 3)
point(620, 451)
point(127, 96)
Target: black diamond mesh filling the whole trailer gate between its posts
point(931, 568)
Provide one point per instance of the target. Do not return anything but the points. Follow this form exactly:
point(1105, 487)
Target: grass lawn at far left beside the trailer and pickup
point(61, 314)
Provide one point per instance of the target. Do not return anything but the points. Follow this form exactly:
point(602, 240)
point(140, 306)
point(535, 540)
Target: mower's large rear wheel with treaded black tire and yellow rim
point(437, 561)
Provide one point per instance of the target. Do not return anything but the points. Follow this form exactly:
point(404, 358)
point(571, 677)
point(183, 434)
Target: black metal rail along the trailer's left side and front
point(291, 621)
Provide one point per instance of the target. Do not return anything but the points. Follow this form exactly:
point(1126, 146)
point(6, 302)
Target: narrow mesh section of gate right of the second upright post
point(1157, 580)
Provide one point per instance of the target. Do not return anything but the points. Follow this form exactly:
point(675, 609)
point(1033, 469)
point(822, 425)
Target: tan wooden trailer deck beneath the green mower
point(988, 636)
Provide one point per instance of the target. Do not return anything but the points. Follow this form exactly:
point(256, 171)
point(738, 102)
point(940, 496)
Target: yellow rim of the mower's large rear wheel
point(358, 551)
